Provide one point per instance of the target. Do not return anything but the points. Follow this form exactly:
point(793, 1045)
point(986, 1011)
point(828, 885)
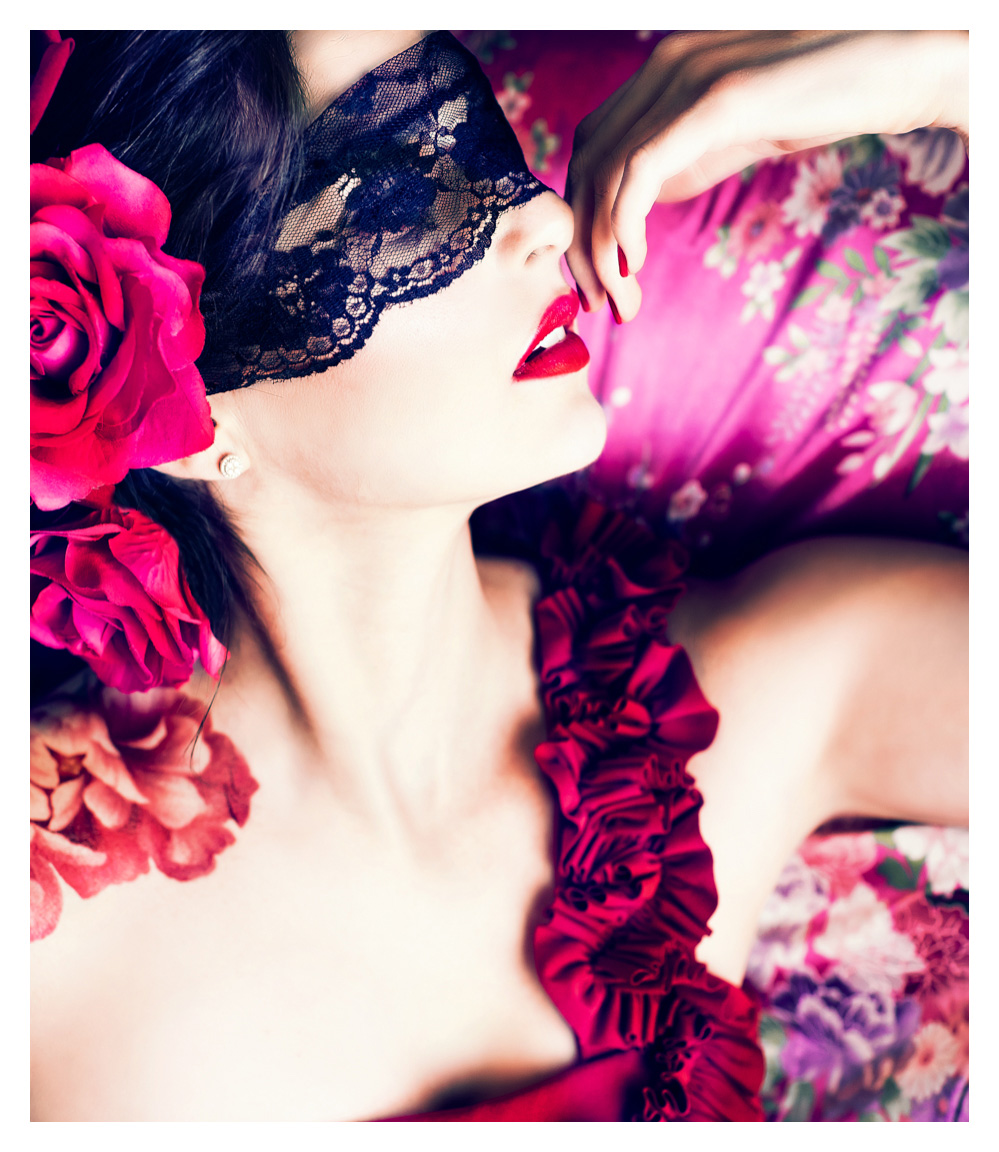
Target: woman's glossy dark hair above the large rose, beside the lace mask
point(213, 118)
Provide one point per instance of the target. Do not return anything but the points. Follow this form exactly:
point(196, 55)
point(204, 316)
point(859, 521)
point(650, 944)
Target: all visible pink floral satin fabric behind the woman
point(799, 367)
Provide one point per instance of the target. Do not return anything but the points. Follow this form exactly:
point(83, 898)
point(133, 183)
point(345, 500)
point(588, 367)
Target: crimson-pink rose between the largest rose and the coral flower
point(110, 589)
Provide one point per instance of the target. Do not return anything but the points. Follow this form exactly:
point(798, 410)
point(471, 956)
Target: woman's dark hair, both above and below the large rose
point(214, 119)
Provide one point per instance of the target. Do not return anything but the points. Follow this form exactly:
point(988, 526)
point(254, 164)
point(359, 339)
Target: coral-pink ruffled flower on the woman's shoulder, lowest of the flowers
point(124, 780)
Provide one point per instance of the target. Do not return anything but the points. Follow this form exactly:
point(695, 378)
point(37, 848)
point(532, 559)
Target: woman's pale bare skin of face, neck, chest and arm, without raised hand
point(365, 948)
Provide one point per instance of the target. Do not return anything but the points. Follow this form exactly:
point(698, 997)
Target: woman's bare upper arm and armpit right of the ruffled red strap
point(841, 672)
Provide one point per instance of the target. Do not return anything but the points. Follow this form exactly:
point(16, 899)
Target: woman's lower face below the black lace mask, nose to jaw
point(430, 411)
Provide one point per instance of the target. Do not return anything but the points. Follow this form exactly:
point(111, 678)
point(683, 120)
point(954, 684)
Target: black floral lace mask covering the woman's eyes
point(404, 178)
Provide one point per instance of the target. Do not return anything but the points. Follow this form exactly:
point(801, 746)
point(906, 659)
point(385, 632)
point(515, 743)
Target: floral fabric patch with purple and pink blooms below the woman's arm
point(862, 961)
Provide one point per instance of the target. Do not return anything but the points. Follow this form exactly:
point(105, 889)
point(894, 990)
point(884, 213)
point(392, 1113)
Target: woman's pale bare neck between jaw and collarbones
point(402, 655)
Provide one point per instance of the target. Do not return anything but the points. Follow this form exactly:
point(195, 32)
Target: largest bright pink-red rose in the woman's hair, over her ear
point(116, 330)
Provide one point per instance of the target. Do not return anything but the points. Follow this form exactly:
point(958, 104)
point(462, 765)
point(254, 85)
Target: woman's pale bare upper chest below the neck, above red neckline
point(334, 982)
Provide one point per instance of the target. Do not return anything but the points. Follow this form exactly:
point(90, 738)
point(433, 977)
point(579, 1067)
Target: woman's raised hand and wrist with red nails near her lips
point(707, 105)
